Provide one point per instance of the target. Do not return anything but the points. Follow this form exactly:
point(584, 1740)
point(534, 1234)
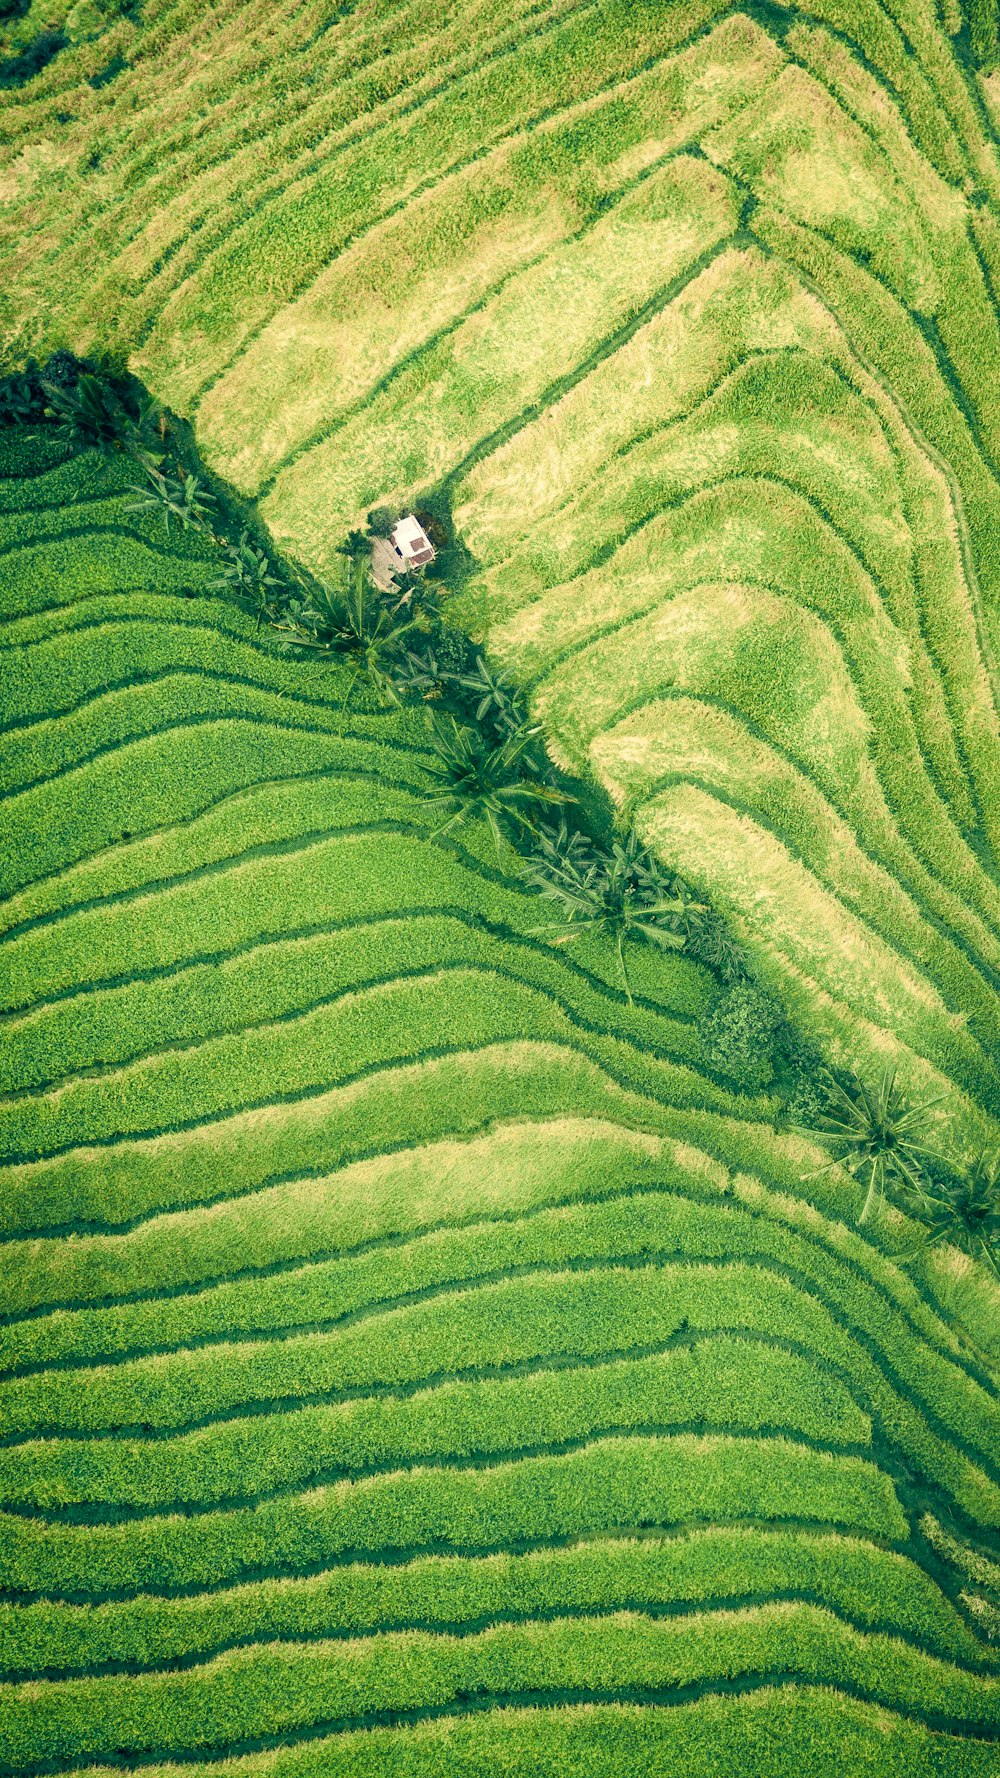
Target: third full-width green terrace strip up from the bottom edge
point(875, 1589)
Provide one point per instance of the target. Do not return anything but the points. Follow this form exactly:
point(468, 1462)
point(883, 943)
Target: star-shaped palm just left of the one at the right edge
point(878, 1137)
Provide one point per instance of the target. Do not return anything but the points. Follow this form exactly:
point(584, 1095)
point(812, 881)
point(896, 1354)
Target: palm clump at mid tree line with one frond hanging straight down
point(622, 893)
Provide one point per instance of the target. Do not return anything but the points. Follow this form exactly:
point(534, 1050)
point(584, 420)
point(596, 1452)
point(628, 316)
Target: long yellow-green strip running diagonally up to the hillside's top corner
point(501, 214)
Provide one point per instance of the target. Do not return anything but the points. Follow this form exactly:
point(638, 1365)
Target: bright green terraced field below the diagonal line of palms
point(398, 1324)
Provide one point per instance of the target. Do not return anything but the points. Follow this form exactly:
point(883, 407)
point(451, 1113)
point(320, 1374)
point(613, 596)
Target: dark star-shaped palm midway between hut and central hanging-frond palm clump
point(497, 783)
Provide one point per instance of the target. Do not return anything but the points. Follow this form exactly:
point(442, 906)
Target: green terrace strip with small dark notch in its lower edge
point(481, 1329)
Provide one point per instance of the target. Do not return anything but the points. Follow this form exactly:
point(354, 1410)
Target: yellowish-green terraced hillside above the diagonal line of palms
point(690, 319)
